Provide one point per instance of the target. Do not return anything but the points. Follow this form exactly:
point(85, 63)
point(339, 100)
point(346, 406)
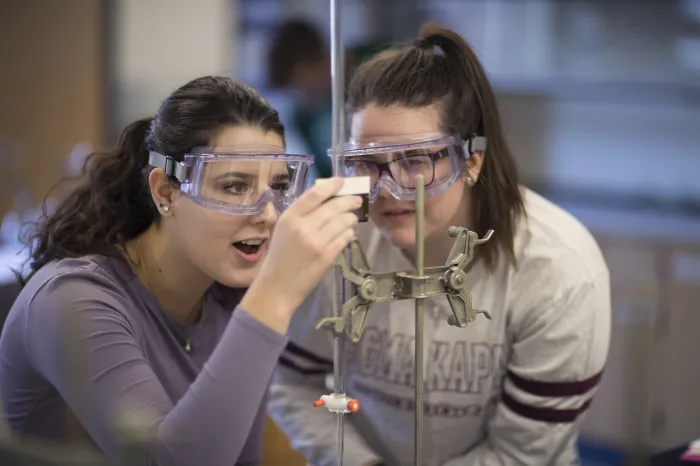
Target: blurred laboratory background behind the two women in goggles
point(601, 104)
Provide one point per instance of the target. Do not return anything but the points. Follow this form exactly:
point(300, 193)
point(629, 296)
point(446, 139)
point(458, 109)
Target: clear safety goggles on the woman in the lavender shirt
point(238, 180)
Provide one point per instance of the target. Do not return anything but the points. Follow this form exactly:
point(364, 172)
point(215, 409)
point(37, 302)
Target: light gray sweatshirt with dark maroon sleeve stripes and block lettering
point(512, 391)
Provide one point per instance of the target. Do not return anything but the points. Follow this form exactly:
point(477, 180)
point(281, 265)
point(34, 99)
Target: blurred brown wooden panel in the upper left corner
point(51, 89)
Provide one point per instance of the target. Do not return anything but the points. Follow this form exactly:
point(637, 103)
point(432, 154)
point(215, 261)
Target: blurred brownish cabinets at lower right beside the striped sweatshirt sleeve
point(649, 399)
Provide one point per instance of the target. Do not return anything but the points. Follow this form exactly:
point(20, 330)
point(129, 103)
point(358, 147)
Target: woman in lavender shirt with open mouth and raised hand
point(161, 289)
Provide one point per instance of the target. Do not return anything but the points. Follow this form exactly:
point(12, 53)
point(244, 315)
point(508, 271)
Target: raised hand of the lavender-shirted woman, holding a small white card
point(308, 237)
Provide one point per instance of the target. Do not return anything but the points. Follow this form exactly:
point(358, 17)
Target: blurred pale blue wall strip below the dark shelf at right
point(651, 149)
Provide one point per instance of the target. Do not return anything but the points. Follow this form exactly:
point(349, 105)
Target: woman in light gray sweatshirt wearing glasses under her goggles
point(508, 391)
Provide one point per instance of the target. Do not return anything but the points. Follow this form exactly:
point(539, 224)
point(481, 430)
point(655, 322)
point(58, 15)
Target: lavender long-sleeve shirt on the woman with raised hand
point(206, 407)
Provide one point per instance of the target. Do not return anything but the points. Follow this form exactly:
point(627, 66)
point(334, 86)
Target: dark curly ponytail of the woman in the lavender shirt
point(111, 206)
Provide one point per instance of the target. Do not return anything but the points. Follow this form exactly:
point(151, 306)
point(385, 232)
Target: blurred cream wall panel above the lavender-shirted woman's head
point(159, 45)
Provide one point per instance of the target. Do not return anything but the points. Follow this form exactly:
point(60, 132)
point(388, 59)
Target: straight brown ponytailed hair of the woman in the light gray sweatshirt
point(441, 69)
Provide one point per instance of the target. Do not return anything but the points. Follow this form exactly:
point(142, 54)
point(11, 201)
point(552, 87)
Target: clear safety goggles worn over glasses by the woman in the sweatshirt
point(394, 163)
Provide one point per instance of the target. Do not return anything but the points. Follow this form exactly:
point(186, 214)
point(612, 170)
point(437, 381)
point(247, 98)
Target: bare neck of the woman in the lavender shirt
point(176, 284)
